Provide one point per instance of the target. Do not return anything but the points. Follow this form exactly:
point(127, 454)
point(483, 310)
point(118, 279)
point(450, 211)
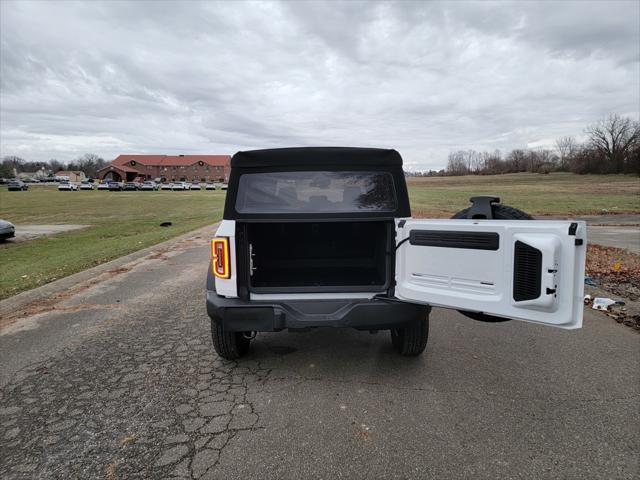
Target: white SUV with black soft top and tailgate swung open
point(323, 237)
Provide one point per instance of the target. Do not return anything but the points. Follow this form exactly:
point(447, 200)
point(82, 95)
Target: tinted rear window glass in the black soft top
point(315, 192)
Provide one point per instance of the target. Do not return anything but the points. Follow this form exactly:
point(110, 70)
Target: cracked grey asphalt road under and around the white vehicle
point(118, 380)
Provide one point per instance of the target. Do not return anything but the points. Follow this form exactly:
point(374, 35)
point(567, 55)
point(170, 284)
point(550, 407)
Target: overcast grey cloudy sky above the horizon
point(424, 78)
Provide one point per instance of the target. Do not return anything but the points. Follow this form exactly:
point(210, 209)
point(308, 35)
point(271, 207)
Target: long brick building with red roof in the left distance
point(168, 168)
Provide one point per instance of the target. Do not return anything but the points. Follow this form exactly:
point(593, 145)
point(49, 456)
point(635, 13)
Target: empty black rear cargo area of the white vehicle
point(319, 256)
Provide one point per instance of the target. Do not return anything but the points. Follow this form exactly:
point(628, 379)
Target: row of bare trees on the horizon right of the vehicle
point(612, 145)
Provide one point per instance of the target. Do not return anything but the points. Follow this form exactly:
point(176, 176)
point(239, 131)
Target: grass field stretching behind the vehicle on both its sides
point(123, 222)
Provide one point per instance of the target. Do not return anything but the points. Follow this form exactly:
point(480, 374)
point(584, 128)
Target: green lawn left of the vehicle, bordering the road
point(121, 223)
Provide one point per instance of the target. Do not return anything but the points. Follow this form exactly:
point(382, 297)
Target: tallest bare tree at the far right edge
point(616, 139)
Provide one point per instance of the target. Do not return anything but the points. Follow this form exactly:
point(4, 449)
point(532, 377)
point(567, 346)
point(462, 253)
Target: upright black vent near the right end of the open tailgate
point(527, 272)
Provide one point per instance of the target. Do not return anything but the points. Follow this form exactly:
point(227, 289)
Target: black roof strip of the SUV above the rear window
point(315, 156)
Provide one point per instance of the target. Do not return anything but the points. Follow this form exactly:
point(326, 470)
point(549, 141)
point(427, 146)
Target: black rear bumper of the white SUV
point(239, 315)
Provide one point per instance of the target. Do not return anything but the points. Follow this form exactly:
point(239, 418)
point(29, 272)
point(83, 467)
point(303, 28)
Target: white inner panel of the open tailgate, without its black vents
point(482, 280)
